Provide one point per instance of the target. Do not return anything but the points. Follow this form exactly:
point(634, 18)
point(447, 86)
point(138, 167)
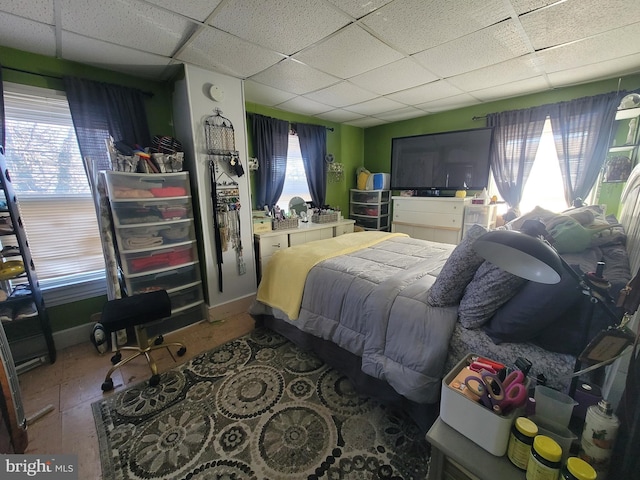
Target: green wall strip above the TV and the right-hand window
point(377, 140)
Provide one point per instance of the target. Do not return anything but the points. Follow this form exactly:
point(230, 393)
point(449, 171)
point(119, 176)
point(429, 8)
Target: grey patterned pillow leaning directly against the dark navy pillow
point(490, 288)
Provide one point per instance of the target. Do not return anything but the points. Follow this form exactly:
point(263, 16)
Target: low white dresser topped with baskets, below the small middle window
point(267, 243)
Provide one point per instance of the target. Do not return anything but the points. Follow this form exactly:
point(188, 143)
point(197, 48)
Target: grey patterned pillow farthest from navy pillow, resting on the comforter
point(457, 271)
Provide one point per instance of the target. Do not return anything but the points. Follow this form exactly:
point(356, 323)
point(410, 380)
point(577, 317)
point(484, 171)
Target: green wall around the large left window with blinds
point(46, 72)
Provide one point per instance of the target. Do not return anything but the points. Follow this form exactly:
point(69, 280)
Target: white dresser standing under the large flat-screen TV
point(435, 219)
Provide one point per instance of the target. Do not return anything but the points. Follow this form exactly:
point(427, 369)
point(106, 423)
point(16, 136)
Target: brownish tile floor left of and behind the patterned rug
point(74, 382)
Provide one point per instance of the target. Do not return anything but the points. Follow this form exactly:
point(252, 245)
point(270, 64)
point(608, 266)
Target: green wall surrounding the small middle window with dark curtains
point(344, 142)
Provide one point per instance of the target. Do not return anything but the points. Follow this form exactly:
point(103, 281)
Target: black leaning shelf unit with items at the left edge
point(22, 310)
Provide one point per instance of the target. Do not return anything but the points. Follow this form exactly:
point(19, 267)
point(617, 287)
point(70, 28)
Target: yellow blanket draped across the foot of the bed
point(283, 280)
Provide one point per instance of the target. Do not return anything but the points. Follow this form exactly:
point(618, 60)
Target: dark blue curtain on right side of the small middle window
point(313, 148)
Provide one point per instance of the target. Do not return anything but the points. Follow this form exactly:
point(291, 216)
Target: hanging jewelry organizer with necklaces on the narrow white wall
point(224, 164)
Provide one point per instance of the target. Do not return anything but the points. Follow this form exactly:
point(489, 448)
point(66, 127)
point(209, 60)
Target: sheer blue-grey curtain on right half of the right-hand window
point(582, 134)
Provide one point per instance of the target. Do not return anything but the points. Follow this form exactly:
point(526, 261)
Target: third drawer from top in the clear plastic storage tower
point(150, 236)
